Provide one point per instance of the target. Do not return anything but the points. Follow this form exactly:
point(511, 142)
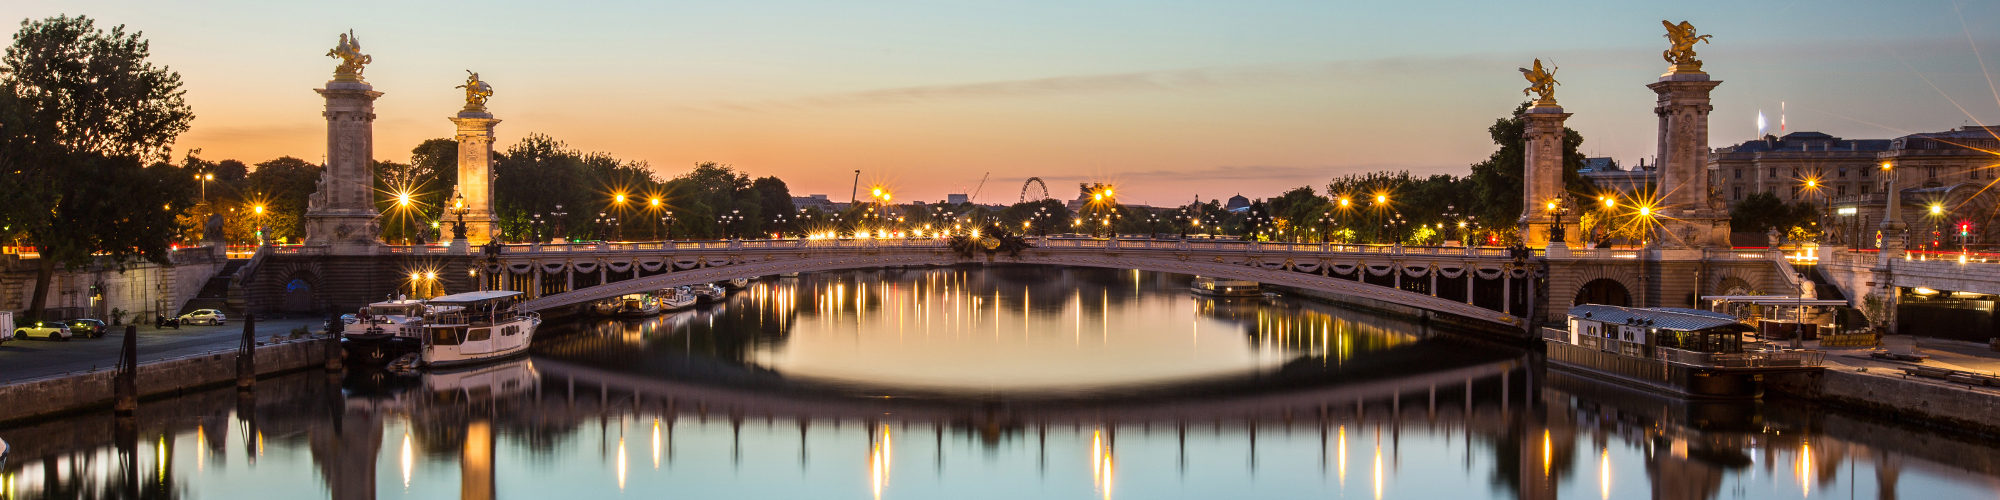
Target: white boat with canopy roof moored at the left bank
point(477, 327)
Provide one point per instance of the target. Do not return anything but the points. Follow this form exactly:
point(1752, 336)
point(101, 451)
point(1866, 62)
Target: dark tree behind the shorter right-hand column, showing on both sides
point(1499, 181)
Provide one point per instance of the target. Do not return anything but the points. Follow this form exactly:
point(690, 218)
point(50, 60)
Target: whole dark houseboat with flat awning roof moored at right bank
point(1679, 351)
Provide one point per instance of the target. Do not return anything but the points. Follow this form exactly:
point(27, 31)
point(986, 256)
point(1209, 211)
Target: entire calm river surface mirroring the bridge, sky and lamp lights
point(1005, 383)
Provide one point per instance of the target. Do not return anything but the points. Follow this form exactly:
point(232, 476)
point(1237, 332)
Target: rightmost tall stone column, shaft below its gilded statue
point(1691, 215)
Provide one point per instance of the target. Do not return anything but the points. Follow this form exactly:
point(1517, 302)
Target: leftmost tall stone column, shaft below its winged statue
point(341, 213)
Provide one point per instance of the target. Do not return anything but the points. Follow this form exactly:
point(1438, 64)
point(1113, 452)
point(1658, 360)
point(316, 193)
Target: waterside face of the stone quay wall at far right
point(1941, 405)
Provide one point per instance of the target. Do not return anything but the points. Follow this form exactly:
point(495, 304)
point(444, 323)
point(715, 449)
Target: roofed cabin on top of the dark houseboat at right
point(1617, 329)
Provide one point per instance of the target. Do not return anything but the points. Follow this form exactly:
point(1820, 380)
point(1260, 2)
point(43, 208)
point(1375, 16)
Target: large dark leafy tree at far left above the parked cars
point(85, 111)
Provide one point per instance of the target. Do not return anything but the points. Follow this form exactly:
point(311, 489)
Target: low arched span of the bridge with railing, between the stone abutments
point(1469, 283)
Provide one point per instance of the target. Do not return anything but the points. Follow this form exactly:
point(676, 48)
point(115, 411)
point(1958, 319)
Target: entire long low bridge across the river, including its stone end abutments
point(1477, 287)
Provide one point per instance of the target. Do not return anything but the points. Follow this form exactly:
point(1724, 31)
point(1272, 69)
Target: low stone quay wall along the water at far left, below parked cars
point(61, 395)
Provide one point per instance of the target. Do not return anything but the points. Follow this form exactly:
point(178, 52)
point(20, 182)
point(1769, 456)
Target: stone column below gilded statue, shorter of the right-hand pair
point(1543, 175)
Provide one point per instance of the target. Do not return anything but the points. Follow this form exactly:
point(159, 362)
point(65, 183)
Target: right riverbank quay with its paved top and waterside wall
point(1855, 381)
